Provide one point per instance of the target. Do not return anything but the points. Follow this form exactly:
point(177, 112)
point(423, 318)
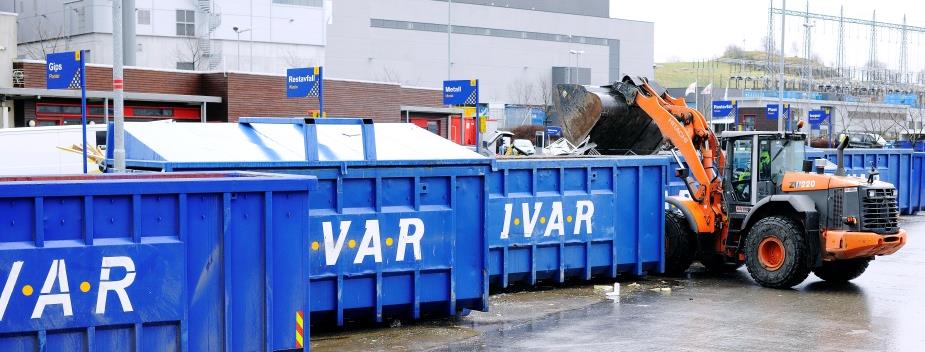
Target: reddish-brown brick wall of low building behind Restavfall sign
point(258, 95)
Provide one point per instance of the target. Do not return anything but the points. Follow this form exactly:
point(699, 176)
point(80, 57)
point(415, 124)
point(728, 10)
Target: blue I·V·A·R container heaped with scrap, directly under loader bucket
point(574, 218)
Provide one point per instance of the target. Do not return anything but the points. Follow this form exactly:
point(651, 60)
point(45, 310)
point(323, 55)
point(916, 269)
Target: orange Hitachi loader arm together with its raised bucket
point(634, 117)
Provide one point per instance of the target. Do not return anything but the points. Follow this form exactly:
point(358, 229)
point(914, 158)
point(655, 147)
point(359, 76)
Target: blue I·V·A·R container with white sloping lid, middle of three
point(389, 237)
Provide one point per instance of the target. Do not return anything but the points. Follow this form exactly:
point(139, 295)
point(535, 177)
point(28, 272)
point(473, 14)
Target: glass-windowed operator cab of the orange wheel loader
point(756, 163)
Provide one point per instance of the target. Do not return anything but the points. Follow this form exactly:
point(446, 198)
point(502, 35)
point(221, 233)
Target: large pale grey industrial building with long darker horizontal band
point(511, 46)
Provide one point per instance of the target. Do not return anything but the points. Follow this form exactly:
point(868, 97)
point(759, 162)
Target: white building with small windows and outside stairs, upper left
point(180, 34)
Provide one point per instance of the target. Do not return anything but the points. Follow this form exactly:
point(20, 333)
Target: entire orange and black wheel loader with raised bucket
point(749, 202)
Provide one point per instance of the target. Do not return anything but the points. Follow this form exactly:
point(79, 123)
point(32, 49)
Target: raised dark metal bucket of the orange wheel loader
point(604, 115)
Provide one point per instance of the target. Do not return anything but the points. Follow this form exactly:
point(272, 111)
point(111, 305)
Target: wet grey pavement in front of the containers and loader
point(880, 311)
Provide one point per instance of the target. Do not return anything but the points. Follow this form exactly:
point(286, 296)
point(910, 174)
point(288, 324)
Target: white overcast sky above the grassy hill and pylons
point(691, 30)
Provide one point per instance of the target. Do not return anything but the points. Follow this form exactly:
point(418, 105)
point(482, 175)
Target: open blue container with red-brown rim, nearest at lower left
point(180, 262)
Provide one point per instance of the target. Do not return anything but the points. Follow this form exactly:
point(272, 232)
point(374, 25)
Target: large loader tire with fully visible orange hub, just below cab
point(776, 253)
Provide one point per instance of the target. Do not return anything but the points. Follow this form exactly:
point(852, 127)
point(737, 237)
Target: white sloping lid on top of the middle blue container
point(255, 142)
